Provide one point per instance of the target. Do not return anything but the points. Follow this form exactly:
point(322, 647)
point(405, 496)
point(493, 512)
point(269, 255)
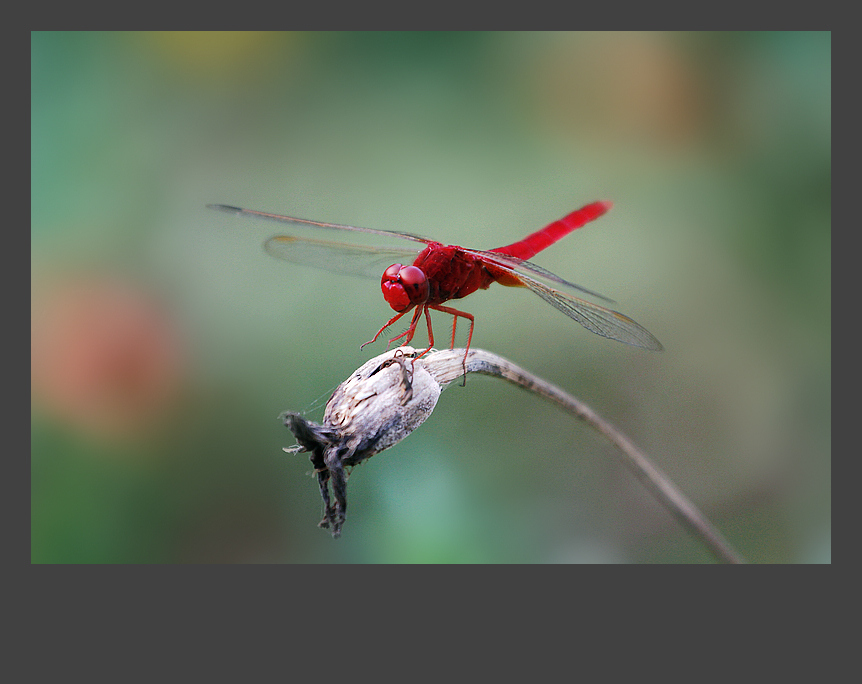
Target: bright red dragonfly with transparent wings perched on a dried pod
point(435, 273)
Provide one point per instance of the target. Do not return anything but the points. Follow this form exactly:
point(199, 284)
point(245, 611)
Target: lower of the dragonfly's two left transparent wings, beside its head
point(339, 257)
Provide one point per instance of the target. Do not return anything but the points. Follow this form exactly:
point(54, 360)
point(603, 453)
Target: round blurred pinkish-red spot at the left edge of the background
point(105, 356)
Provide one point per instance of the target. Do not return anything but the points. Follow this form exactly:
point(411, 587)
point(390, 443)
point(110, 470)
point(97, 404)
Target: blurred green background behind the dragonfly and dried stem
point(165, 342)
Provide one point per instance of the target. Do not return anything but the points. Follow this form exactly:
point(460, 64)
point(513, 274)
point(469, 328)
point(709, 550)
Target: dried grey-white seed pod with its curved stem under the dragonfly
point(392, 394)
